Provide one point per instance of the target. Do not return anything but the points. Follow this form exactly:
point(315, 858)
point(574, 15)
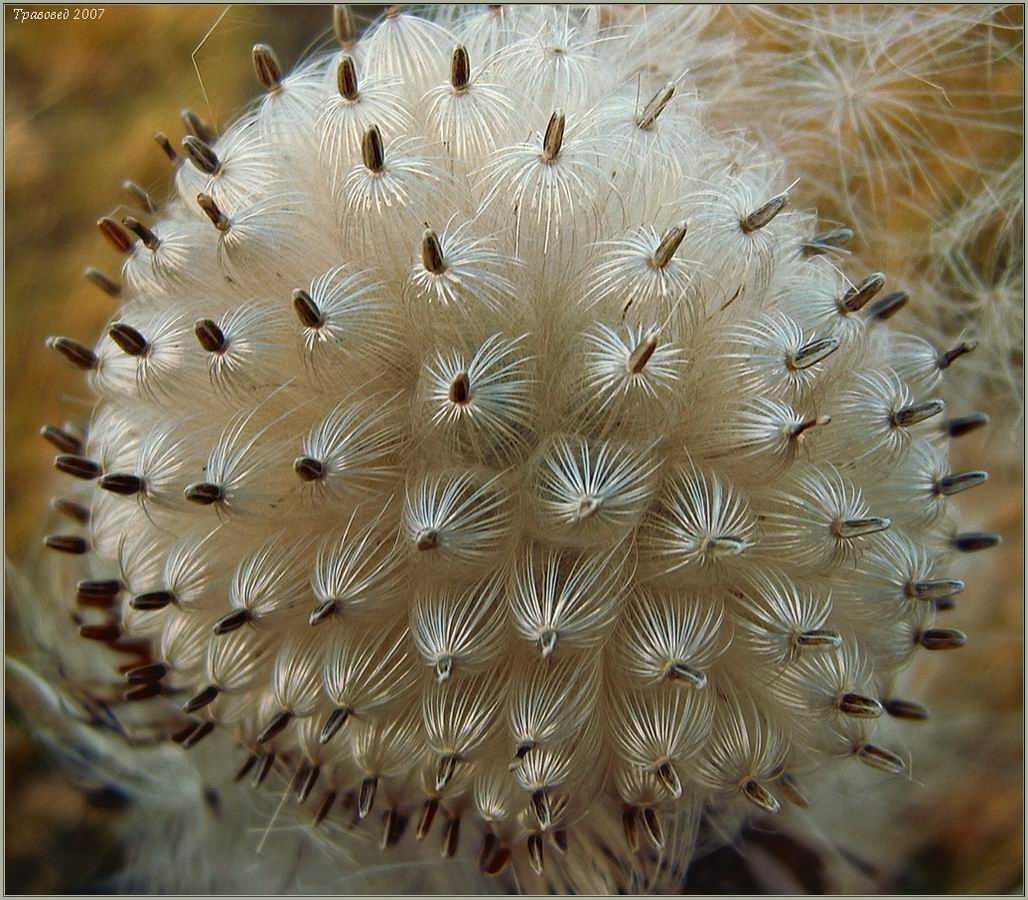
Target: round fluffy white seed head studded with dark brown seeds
point(482, 439)
